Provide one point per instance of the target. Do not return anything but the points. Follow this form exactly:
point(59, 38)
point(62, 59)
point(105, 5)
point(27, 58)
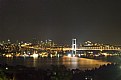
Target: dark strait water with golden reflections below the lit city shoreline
point(69, 62)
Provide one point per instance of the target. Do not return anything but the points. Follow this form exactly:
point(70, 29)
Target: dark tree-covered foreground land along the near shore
point(105, 72)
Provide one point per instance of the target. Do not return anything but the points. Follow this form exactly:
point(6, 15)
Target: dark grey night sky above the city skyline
point(61, 20)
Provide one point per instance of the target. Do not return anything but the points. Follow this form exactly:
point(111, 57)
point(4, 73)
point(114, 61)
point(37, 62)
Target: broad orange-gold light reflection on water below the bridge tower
point(82, 63)
